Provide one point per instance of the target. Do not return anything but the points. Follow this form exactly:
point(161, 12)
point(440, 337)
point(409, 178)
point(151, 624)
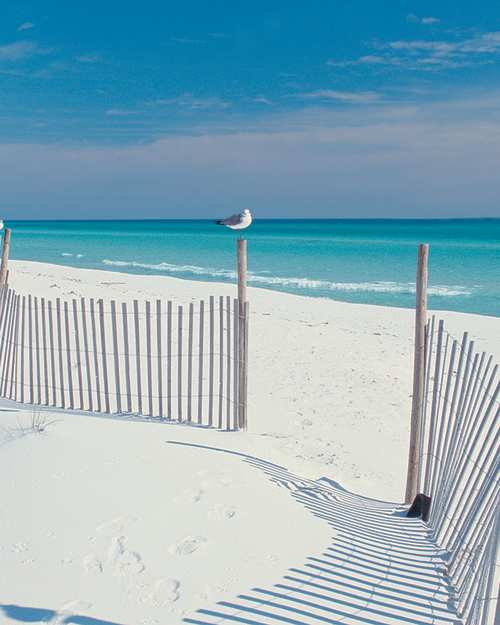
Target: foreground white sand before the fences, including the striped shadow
point(118, 522)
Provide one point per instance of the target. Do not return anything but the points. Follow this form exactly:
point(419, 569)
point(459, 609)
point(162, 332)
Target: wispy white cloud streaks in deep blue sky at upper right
point(431, 55)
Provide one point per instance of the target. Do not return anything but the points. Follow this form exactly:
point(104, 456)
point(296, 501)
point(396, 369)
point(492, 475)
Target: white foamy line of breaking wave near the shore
point(297, 283)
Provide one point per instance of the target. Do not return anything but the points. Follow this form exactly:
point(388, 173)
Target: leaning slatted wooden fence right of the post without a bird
point(459, 468)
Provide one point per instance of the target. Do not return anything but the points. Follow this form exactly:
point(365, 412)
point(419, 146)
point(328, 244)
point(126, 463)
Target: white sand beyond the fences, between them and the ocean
point(329, 382)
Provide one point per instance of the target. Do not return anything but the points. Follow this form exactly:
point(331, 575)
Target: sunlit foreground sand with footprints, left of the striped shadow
point(106, 517)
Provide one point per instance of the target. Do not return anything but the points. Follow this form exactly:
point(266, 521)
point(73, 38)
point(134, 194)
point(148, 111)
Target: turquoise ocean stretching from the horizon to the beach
point(364, 261)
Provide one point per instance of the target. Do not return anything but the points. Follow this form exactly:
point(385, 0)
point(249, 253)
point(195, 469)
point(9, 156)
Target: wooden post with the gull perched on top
point(242, 355)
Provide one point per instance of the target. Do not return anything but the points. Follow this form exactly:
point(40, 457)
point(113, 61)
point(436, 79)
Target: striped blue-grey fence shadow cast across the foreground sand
point(381, 567)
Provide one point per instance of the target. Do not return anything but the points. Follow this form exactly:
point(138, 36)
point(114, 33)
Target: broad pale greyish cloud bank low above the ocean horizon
point(432, 160)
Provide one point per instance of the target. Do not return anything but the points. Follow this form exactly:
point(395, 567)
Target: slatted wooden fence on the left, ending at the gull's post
point(183, 363)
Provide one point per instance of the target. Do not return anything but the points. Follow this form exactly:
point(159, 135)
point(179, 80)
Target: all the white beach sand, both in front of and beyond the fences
point(109, 521)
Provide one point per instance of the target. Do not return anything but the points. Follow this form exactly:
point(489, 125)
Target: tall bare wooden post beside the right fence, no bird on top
point(418, 374)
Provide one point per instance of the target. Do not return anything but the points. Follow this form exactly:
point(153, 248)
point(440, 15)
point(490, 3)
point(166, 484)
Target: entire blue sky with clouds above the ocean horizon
point(325, 108)
